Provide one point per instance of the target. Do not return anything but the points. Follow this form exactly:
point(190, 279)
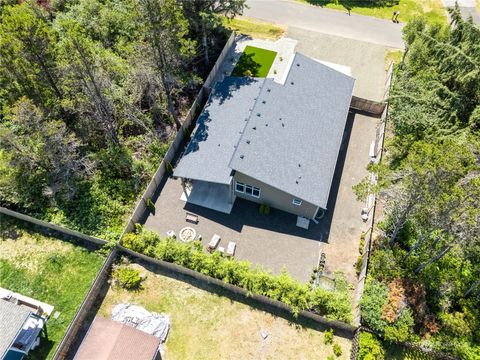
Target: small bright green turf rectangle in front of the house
point(254, 62)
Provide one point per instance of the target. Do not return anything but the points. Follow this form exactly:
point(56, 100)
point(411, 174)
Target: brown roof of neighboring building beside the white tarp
point(111, 340)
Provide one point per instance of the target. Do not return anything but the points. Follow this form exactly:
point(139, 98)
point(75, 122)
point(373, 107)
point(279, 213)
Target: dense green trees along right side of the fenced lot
point(423, 284)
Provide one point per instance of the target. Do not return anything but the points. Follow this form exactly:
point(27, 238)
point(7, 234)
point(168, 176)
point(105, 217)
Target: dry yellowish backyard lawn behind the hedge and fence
point(210, 326)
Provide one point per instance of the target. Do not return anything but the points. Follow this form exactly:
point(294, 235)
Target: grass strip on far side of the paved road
point(409, 9)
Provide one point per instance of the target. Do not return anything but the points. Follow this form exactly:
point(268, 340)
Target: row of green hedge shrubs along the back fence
point(331, 304)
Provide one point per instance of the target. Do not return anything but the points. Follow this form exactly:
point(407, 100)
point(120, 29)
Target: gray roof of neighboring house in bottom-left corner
point(12, 318)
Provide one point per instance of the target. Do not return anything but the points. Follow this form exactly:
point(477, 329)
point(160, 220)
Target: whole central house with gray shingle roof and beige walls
point(268, 142)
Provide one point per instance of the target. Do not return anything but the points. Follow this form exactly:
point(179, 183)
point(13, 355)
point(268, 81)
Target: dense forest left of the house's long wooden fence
point(91, 94)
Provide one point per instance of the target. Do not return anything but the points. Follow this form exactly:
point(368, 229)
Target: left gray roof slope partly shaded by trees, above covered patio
point(218, 130)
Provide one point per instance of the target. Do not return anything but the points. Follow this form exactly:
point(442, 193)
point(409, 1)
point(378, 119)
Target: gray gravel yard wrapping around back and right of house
point(274, 241)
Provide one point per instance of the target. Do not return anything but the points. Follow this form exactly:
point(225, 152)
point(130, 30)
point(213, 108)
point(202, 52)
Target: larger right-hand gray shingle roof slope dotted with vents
point(293, 137)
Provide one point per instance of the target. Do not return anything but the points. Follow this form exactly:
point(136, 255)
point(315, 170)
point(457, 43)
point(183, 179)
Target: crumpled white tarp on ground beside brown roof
point(152, 323)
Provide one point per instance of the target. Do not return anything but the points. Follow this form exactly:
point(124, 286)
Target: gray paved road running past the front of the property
point(309, 17)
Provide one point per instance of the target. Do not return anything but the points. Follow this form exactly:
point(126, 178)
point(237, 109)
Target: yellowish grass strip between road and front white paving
point(255, 28)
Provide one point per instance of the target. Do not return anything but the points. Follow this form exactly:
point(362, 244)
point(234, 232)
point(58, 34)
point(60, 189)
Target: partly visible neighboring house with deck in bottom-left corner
point(22, 319)
